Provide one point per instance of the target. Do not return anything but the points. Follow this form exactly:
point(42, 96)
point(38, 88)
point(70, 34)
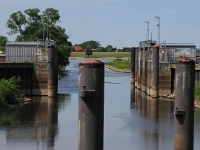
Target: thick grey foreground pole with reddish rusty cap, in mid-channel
point(91, 105)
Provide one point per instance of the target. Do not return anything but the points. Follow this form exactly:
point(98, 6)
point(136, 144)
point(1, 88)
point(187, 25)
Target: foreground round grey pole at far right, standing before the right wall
point(184, 105)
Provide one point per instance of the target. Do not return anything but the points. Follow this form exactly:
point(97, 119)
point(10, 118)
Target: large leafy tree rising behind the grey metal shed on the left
point(31, 25)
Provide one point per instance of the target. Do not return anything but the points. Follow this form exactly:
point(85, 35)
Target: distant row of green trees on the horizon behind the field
point(96, 46)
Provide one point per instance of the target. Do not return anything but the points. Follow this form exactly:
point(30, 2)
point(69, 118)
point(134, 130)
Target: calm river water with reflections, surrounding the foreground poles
point(131, 121)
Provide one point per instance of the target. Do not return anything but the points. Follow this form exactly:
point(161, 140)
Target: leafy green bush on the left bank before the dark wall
point(9, 90)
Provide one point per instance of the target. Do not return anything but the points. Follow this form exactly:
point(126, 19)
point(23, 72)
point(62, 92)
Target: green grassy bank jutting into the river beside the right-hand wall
point(119, 63)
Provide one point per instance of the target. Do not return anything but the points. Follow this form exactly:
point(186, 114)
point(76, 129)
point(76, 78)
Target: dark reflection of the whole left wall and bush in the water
point(35, 124)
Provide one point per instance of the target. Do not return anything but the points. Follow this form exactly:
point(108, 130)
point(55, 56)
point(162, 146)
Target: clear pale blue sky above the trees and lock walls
point(120, 23)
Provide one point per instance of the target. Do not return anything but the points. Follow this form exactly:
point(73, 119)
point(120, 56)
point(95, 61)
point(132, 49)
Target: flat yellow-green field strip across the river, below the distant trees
point(102, 54)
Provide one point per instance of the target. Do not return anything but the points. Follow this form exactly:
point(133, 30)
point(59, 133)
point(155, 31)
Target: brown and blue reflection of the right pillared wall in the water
point(156, 120)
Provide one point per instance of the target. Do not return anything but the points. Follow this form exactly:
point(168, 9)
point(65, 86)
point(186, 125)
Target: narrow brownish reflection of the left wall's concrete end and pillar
point(46, 120)
